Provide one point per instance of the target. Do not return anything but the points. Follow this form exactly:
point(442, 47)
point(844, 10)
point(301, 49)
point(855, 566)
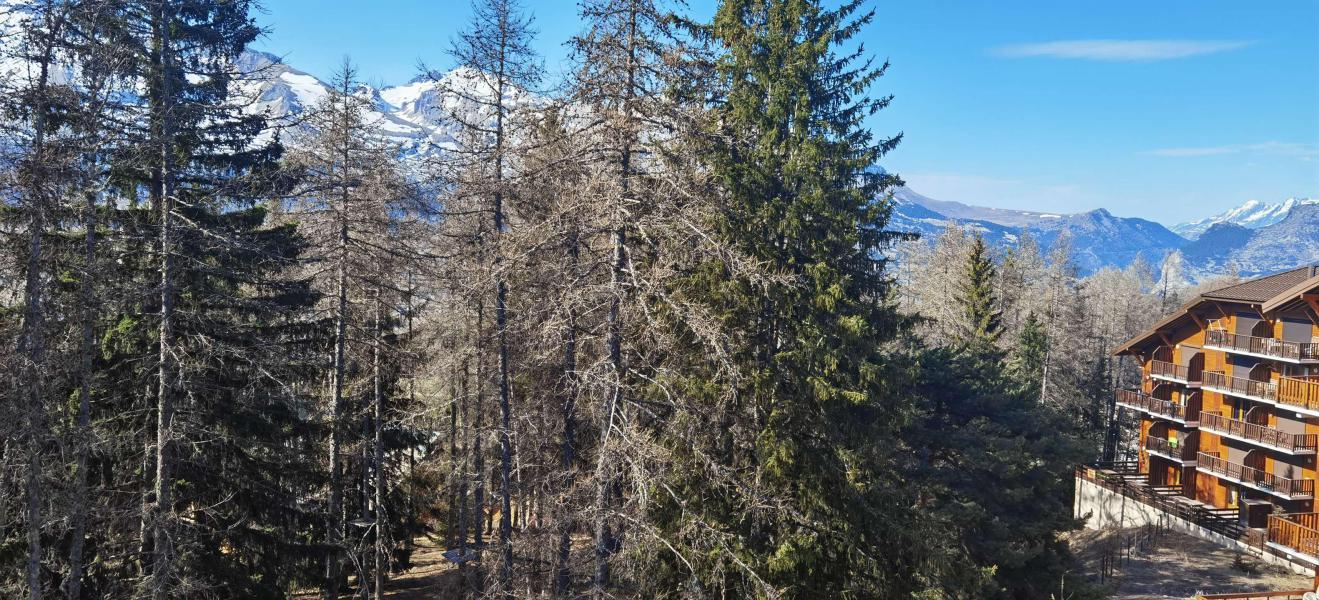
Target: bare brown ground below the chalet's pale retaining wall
point(1175, 566)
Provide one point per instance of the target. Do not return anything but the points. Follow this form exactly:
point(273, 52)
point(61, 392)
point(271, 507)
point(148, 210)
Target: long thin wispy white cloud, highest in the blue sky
point(1120, 49)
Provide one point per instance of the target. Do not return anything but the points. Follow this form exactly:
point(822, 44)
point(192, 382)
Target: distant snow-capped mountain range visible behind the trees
point(1256, 238)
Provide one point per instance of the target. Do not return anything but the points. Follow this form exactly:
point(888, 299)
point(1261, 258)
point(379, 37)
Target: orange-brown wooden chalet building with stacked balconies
point(1229, 405)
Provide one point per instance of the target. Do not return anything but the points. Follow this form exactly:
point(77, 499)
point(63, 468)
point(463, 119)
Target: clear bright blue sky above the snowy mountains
point(1167, 110)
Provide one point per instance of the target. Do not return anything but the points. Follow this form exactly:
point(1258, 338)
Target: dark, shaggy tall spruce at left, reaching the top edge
point(225, 345)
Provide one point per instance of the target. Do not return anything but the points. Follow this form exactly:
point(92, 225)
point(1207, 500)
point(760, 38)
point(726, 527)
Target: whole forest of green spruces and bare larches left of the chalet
point(642, 333)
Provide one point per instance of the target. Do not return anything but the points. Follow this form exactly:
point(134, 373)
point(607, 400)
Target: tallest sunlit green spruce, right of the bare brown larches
point(808, 423)
